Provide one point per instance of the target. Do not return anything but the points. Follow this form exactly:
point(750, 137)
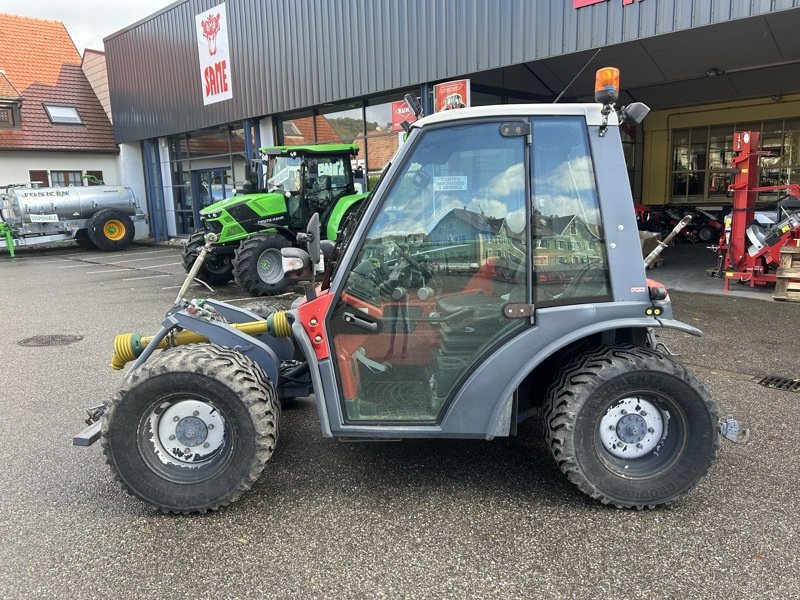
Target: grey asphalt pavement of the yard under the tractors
point(416, 519)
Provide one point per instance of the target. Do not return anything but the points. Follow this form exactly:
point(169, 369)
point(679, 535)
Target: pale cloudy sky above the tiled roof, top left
point(87, 21)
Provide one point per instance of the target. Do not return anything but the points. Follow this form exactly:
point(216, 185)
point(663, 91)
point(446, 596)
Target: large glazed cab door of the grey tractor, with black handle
point(440, 280)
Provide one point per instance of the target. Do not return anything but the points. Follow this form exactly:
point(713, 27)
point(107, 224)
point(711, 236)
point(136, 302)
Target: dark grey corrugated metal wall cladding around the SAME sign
point(290, 54)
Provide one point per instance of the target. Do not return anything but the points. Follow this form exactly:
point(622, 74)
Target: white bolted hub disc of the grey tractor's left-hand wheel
point(189, 432)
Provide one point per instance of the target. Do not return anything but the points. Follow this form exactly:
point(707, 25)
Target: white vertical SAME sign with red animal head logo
point(212, 48)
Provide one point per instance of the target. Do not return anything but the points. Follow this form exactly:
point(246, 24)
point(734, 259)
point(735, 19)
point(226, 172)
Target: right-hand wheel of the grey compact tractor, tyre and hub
point(630, 427)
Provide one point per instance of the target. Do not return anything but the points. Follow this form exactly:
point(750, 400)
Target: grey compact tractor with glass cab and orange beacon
point(493, 276)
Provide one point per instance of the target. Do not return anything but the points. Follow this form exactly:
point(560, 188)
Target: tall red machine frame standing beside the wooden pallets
point(736, 261)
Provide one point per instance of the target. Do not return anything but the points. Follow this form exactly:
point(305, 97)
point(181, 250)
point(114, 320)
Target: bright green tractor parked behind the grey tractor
point(253, 228)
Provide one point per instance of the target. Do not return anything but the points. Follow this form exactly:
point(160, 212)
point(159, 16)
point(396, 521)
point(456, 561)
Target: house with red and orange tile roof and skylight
point(53, 129)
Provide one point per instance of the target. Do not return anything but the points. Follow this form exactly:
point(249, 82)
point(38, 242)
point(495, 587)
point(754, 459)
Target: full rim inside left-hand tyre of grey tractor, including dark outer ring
point(183, 439)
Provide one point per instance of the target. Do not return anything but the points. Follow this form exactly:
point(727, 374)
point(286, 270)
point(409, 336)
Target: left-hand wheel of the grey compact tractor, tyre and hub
point(192, 428)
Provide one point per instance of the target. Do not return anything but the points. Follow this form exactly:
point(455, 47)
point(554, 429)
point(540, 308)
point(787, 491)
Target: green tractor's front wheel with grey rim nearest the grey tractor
point(257, 265)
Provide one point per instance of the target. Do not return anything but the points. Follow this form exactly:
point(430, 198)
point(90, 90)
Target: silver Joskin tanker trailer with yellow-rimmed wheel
point(100, 216)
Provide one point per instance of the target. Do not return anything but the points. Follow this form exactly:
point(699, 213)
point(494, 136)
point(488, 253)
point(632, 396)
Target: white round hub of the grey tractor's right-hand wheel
point(632, 427)
